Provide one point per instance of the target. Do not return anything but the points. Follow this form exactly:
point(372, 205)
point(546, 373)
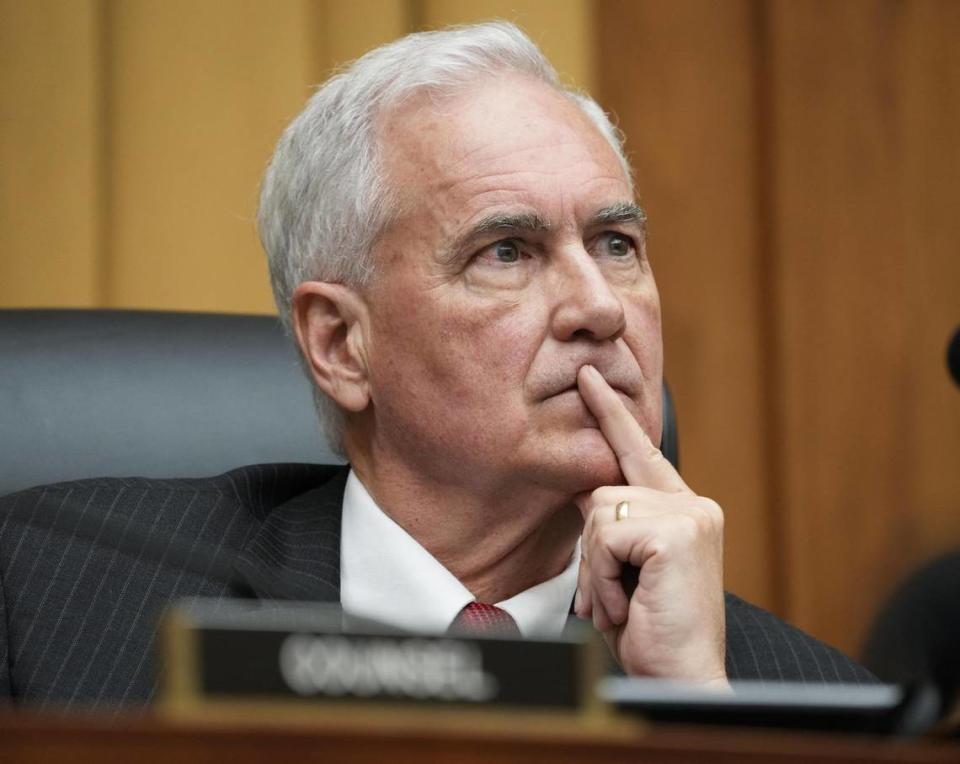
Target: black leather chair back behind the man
point(86, 393)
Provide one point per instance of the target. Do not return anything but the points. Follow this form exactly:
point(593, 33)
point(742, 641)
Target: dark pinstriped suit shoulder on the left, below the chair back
point(88, 566)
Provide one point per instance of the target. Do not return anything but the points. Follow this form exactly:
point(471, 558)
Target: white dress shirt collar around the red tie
point(387, 576)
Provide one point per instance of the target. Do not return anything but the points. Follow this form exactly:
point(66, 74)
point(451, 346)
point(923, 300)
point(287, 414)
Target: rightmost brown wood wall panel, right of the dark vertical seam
point(866, 114)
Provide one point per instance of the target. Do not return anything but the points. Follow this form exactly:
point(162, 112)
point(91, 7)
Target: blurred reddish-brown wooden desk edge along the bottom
point(28, 736)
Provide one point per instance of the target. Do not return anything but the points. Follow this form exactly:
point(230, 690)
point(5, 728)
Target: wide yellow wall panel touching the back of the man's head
point(198, 96)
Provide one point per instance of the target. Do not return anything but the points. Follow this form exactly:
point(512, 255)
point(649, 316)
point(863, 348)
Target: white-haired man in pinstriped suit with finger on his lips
point(455, 245)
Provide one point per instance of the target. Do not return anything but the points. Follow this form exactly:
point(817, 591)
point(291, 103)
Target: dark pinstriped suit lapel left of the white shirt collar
point(295, 554)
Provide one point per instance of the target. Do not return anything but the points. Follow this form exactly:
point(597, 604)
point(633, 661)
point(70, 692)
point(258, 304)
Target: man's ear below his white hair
point(330, 323)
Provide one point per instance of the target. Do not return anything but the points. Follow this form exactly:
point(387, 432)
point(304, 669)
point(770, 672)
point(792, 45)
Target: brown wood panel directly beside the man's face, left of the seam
point(680, 78)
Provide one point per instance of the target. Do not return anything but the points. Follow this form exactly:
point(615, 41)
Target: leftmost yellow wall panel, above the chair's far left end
point(50, 169)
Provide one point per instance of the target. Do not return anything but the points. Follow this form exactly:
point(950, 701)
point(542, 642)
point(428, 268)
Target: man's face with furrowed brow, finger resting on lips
point(517, 257)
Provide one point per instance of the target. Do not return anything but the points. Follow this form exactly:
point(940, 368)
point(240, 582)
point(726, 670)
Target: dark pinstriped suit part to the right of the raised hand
point(762, 647)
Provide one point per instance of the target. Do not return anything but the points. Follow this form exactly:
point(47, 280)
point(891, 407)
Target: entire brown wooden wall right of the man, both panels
point(801, 165)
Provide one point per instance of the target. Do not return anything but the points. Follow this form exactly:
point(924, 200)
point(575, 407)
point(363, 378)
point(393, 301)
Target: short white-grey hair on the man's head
point(325, 201)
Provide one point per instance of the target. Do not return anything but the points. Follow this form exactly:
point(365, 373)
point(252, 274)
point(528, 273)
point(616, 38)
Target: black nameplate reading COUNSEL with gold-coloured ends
point(243, 651)
